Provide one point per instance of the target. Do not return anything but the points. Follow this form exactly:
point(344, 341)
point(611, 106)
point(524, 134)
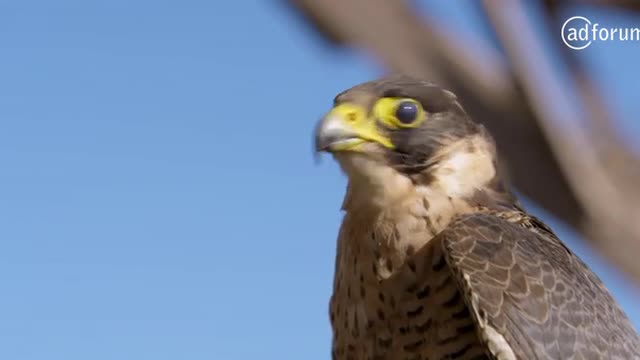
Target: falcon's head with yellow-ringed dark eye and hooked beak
point(397, 134)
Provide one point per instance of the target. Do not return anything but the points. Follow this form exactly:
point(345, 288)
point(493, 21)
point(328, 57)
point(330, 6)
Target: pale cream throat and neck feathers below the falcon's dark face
point(405, 212)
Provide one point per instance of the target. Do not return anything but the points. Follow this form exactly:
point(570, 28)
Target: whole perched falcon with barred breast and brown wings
point(436, 259)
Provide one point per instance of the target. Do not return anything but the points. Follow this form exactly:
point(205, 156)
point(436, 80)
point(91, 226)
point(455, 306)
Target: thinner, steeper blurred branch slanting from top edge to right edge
point(611, 212)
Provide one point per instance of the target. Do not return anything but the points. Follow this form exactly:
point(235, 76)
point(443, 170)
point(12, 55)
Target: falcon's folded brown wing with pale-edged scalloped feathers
point(544, 301)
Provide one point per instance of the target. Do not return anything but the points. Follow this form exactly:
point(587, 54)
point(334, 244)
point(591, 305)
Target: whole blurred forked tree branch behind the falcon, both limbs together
point(583, 174)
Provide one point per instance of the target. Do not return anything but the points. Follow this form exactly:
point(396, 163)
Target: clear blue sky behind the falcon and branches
point(158, 198)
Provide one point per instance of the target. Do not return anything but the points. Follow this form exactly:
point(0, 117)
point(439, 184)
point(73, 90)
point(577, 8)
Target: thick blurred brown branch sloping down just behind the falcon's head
point(511, 107)
